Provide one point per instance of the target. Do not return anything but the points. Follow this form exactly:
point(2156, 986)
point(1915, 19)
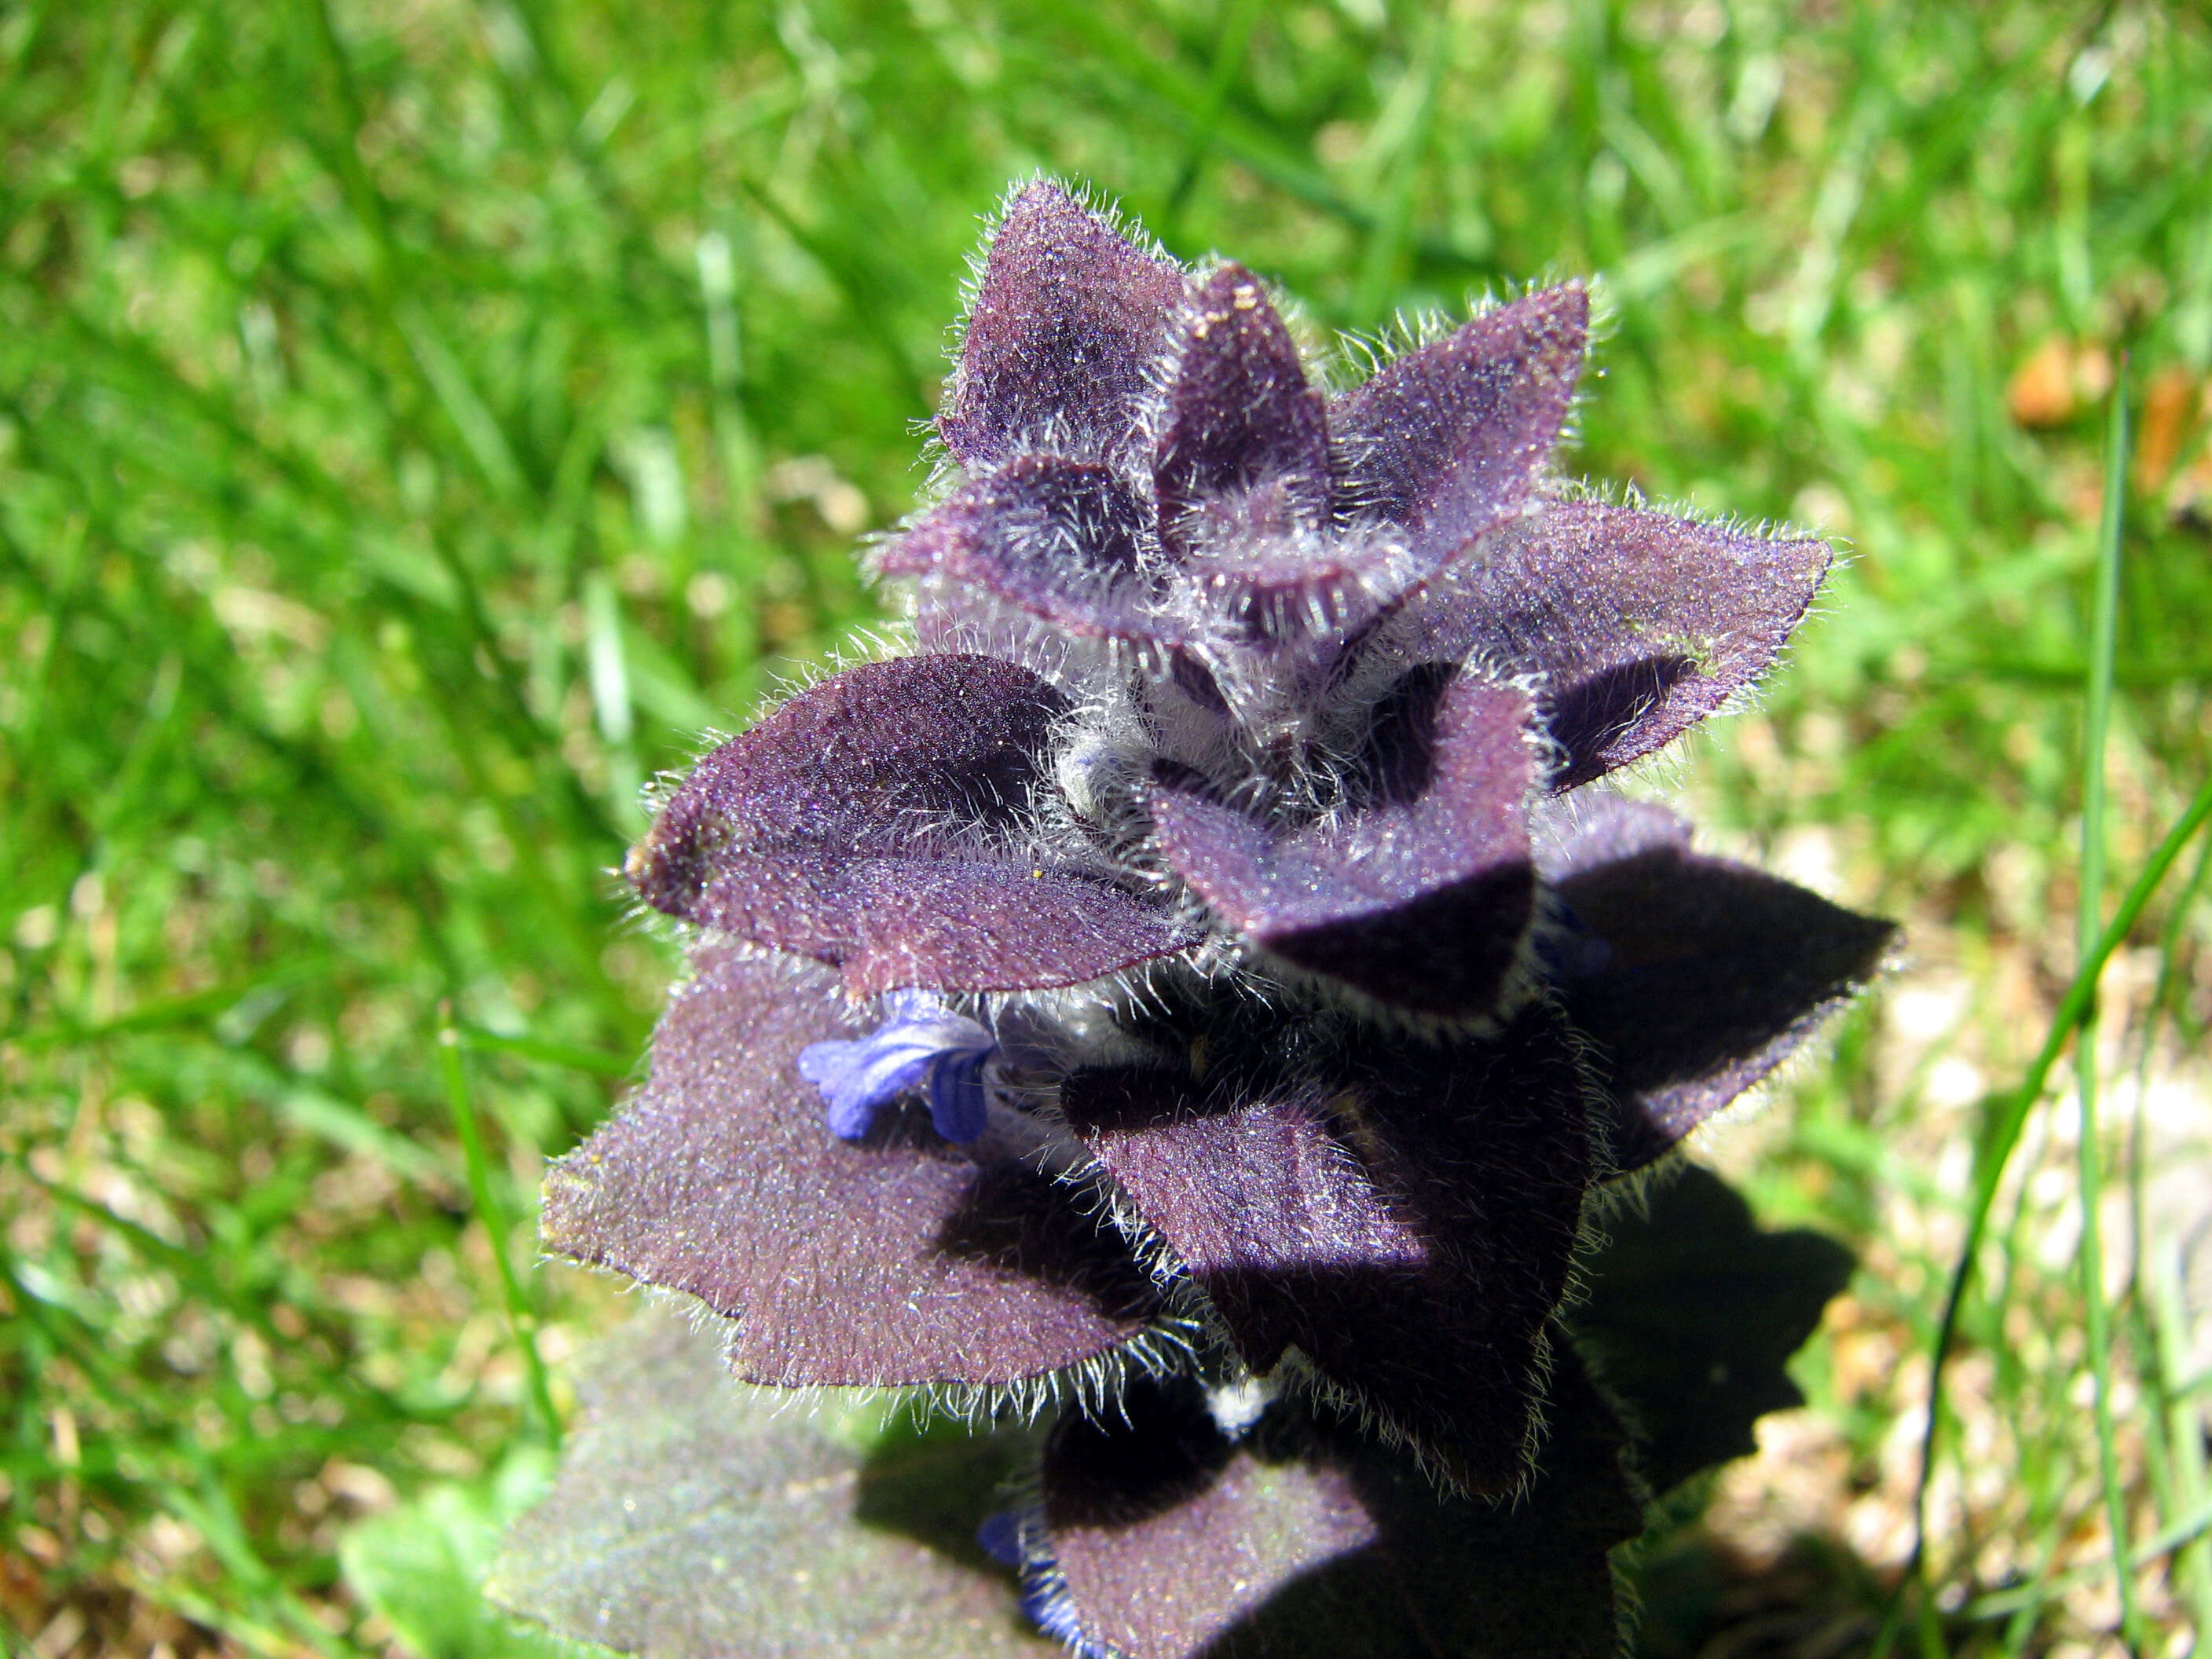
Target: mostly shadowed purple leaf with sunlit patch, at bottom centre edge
point(1308, 1545)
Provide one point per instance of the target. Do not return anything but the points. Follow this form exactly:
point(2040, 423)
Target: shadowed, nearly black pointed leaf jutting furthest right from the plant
point(1711, 977)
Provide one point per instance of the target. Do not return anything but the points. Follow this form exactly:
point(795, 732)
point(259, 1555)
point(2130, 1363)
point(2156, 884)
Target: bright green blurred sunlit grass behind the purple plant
point(421, 421)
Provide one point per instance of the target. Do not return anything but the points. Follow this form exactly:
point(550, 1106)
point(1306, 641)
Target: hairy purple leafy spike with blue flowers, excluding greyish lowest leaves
point(1204, 990)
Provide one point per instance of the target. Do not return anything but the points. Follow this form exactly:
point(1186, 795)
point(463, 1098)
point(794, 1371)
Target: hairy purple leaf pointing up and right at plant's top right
point(1450, 439)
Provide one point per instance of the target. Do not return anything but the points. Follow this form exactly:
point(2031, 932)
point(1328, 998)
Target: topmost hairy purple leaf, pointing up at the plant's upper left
point(1070, 328)
